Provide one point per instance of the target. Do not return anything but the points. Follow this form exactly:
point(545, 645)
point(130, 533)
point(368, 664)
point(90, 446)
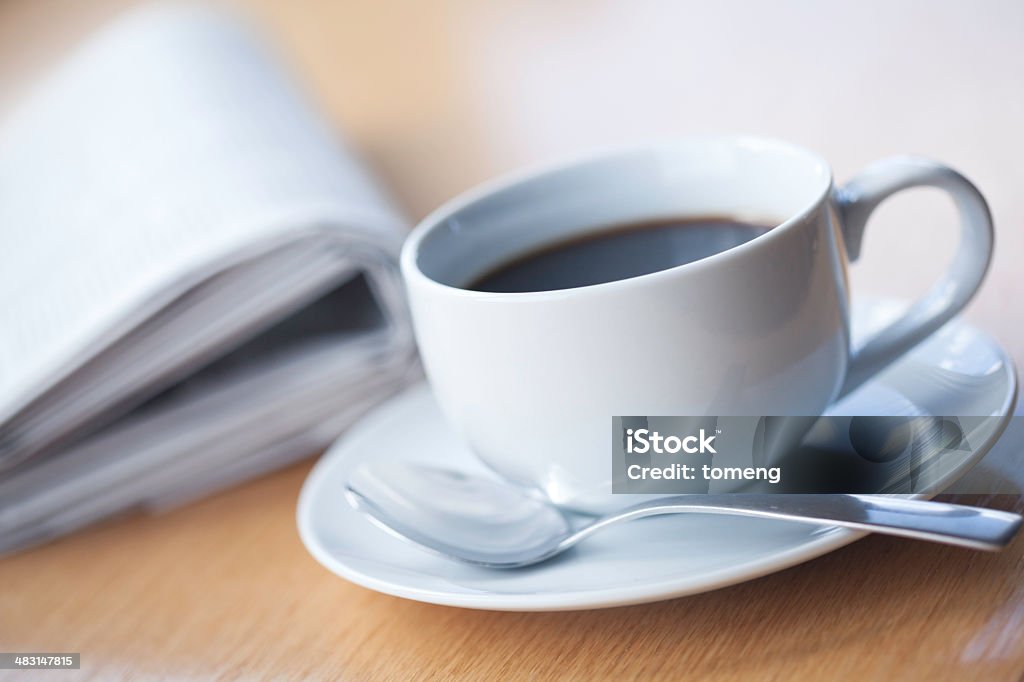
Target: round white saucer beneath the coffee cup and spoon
point(960, 371)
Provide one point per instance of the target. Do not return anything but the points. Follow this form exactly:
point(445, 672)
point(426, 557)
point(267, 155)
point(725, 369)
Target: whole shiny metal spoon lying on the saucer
point(492, 524)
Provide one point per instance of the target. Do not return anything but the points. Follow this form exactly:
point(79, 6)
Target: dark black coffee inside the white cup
point(618, 253)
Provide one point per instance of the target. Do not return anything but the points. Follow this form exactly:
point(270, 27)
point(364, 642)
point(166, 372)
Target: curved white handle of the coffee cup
point(856, 202)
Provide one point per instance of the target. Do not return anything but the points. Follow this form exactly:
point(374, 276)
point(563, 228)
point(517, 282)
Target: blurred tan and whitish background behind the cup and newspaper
point(441, 96)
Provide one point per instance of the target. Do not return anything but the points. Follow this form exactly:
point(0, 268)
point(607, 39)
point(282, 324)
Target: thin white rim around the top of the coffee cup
point(409, 260)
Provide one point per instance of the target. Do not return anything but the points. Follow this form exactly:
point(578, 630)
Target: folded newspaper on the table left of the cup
point(199, 281)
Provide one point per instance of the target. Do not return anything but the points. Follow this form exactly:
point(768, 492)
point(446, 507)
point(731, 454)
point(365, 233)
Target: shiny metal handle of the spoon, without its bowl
point(937, 522)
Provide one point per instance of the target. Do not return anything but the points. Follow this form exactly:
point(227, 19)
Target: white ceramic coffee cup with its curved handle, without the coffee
point(532, 380)
